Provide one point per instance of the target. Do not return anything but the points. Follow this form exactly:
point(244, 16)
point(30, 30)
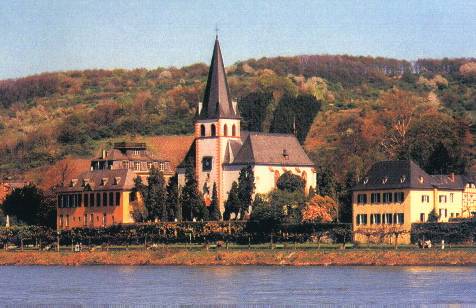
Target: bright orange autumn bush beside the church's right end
point(320, 209)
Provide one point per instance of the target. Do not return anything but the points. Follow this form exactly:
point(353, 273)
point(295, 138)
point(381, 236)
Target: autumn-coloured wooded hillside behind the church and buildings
point(349, 111)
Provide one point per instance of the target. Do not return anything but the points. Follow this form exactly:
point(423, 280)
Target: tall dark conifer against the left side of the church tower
point(191, 200)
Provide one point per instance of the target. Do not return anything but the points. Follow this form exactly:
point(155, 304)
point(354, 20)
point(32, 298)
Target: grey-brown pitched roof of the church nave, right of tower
point(270, 149)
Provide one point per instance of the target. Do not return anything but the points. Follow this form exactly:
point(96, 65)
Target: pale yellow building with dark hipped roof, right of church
point(396, 194)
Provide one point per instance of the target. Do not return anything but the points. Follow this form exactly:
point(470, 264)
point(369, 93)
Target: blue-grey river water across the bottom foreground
point(89, 285)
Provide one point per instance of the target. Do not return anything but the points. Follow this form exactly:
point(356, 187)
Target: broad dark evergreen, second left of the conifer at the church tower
point(156, 196)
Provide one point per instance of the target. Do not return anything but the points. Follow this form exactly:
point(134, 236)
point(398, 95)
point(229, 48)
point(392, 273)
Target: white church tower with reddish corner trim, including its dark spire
point(217, 123)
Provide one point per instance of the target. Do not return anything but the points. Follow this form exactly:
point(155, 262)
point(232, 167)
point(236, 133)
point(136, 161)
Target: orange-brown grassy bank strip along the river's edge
point(222, 257)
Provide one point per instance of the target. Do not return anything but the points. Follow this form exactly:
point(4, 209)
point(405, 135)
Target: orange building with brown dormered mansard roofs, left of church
point(102, 196)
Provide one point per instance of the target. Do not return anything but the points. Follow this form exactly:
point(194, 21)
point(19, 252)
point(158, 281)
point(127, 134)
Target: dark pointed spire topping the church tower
point(216, 101)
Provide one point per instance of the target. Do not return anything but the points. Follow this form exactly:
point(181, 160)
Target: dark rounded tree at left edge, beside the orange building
point(31, 205)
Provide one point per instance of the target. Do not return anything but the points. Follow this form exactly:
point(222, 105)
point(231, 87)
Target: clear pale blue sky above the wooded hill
point(43, 36)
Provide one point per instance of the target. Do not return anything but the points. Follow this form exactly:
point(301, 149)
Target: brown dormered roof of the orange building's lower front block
point(101, 180)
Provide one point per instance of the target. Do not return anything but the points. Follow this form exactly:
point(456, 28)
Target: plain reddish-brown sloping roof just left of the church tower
point(171, 148)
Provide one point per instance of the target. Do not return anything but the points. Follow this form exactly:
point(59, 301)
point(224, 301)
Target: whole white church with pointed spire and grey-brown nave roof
point(221, 149)
